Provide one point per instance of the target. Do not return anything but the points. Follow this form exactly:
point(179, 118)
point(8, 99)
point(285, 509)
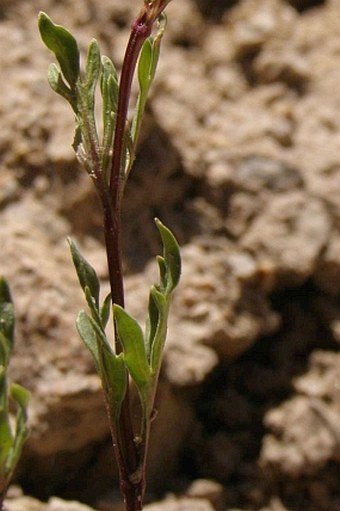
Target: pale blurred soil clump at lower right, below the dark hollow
point(305, 429)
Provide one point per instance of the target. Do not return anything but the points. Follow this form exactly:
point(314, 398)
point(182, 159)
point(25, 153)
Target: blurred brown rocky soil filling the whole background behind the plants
point(240, 156)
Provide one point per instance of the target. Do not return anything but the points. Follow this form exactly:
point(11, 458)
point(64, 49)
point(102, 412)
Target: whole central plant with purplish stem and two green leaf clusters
point(108, 159)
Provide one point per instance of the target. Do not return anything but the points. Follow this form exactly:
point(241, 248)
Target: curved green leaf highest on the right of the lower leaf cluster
point(170, 265)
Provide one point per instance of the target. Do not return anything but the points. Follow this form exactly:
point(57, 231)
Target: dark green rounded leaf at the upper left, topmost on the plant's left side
point(62, 43)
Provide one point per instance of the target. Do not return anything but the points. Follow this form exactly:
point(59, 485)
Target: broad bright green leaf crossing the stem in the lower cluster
point(131, 337)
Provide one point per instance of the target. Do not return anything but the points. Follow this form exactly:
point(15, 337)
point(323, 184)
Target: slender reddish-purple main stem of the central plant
point(130, 459)
